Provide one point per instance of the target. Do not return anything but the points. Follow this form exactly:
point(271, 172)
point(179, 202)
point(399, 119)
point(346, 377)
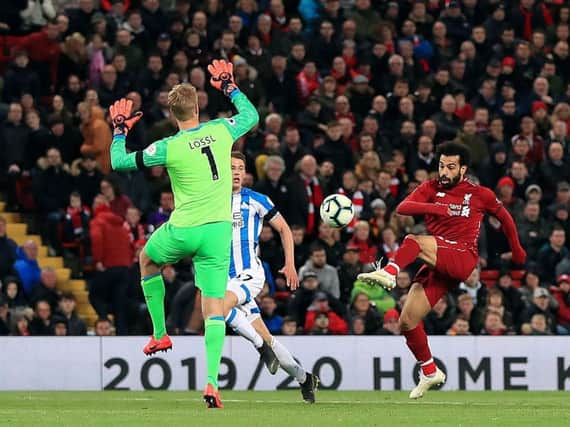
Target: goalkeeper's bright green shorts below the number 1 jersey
point(209, 246)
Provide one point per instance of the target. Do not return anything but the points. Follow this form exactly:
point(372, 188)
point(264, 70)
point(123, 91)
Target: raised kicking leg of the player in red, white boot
point(424, 247)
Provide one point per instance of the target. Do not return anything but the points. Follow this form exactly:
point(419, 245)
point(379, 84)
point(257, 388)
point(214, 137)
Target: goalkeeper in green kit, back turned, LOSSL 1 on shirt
point(198, 160)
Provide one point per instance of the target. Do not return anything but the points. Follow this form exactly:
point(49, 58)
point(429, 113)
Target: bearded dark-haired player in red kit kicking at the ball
point(454, 208)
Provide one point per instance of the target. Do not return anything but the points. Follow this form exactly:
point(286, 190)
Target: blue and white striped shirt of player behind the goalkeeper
point(249, 208)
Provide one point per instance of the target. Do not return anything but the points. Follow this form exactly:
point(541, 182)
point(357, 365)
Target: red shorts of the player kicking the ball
point(454, 264)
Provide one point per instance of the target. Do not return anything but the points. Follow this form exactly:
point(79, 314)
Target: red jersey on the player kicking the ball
point(468, 203)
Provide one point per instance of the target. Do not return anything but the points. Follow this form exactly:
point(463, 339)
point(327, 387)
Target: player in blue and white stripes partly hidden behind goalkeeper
point(249, 210)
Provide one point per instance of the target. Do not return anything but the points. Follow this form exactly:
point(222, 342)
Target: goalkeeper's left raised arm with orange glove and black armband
point(123, 120)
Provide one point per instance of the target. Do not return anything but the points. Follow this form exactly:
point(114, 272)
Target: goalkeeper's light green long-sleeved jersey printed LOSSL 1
point(198, 161)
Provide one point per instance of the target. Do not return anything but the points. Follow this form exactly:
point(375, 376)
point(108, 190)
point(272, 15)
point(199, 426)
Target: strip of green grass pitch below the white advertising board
point(283, 408)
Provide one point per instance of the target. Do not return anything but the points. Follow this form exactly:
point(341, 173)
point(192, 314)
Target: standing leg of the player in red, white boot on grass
point(415, 308)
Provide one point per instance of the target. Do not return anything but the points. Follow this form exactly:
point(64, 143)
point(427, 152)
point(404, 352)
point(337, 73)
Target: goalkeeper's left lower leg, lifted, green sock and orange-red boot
point(153, 290)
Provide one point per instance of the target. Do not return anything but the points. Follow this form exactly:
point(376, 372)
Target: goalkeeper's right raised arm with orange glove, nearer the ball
point(223, 80)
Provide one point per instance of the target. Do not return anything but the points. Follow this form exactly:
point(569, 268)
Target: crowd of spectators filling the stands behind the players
point(355, 95)
